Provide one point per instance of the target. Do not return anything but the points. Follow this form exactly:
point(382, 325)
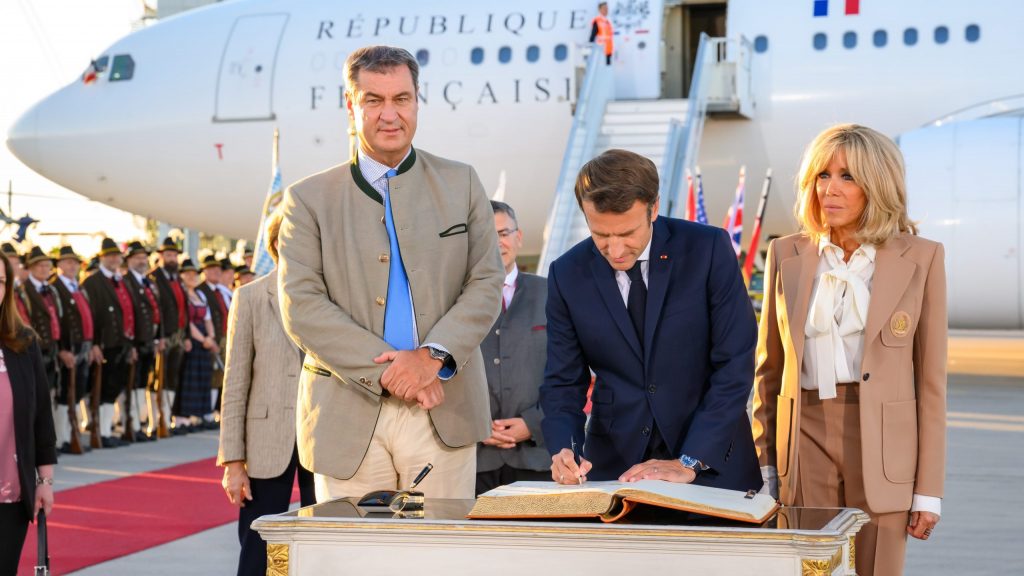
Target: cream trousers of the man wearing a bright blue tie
point(403, 444)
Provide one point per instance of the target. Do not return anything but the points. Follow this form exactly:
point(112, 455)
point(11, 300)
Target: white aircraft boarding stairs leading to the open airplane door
point(667, 132)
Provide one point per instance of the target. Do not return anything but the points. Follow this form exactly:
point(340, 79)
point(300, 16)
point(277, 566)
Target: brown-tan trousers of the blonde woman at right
point(830, 475)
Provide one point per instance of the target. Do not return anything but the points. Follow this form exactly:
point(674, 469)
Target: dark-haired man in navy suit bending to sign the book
point(657, 308)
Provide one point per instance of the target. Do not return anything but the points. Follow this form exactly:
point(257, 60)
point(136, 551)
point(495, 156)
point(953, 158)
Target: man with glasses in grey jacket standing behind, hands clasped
point(515, 353)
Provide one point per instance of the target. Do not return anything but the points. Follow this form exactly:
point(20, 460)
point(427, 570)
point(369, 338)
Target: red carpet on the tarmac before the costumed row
point(116, 518)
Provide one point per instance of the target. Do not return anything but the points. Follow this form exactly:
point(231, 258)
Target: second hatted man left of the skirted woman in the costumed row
point(148, 338)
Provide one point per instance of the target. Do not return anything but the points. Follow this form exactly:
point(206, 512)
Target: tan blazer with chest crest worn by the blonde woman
point(904, 381)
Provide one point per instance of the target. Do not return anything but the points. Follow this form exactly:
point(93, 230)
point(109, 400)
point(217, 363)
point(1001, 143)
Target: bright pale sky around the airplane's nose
point(46, 45)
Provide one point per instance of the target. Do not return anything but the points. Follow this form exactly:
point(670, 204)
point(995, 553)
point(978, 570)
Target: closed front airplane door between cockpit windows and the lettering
point(245, 86)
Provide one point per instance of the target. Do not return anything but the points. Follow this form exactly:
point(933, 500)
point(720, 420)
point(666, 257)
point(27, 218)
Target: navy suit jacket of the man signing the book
point(693, 379)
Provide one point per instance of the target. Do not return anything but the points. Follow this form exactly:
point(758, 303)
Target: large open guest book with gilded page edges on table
point(613, 501)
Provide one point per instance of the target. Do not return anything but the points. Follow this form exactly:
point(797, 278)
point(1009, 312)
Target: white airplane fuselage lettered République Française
point(188, 140)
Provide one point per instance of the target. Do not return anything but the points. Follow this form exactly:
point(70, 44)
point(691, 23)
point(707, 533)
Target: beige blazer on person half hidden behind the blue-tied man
point(262, 382)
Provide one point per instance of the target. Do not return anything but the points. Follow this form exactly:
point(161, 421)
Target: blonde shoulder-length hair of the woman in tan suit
point(876, 166)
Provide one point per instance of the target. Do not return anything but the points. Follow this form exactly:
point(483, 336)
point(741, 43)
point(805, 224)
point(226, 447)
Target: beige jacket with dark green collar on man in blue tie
point(334, 276)
